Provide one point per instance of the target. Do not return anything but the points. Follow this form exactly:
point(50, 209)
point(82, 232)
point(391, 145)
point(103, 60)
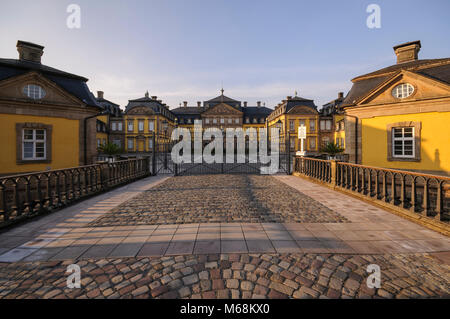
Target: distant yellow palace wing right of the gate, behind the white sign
point(292, 113)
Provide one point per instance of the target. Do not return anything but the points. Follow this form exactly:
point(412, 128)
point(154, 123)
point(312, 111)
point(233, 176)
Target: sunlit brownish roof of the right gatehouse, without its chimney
point(438, 69)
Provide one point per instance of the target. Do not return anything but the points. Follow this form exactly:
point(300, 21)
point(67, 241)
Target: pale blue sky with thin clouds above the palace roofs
point(260, 50)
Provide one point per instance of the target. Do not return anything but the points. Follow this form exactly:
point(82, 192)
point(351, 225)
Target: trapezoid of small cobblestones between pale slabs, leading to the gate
point(219, 198)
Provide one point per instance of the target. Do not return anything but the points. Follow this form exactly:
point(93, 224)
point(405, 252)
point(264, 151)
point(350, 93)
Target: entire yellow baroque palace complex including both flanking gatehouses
point(395, 117)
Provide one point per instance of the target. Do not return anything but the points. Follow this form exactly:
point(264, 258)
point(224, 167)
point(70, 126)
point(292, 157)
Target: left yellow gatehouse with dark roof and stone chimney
point(43, 112)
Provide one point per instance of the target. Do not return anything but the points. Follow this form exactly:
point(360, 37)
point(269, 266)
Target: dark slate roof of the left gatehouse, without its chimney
point(74, 84)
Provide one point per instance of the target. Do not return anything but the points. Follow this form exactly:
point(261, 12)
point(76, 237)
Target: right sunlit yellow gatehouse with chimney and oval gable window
point(398, 117)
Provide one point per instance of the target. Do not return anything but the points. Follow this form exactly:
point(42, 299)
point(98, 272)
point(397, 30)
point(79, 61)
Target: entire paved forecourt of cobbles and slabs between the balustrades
point(223, 236)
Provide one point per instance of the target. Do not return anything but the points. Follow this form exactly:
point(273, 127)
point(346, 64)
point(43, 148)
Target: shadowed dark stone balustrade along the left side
point(26, 195)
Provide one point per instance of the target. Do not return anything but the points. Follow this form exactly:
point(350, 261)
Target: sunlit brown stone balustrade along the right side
point(424, 194)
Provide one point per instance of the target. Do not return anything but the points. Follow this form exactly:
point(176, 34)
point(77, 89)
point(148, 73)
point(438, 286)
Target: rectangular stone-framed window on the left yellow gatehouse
point(33, 144)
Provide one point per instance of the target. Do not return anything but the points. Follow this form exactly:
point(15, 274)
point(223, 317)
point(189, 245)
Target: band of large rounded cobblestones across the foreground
point(233, 276)
